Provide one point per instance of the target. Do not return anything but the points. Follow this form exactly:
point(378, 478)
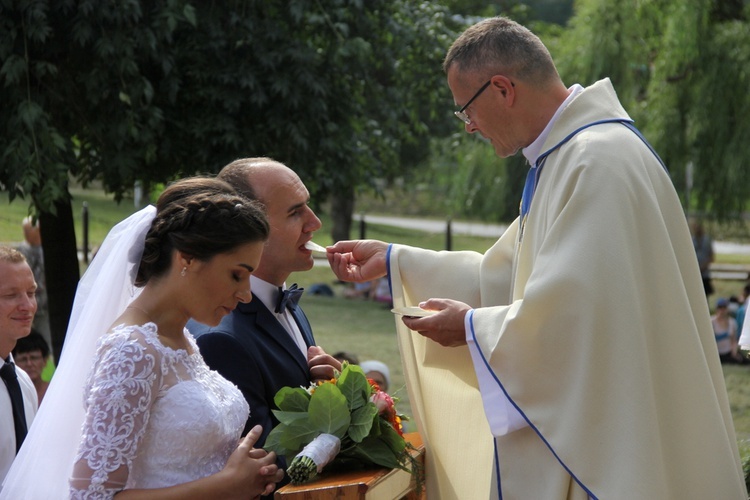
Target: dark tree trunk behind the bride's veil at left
point(60, 269)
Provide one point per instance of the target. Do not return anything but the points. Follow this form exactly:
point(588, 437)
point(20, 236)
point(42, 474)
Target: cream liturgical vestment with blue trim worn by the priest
point(591, 320)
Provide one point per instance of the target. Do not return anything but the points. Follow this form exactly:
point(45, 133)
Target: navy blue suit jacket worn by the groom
point(251, 349)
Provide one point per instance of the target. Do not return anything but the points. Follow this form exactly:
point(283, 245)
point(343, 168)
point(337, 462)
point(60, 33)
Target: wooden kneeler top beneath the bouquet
point(374, 484)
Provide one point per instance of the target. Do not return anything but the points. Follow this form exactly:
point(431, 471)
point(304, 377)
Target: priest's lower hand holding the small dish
point(446, 327)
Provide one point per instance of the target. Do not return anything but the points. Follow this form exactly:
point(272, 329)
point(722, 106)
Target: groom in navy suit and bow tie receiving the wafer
point(259, 346)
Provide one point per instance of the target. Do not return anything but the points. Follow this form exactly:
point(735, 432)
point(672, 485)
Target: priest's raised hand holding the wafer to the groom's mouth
point(358, 261)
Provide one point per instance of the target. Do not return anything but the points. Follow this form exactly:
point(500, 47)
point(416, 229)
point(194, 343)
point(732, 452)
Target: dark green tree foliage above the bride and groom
point(343, 91)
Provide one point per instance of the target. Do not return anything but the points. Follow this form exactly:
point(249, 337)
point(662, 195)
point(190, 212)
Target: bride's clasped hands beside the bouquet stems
point(254, 469)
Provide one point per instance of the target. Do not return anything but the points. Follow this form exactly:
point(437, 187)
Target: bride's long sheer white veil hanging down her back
point(44, 464)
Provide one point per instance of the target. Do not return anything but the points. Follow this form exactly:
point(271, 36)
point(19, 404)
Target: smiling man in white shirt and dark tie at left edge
point(18, 401)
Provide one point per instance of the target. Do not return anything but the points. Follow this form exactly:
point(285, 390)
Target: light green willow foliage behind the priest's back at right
point(680, 69)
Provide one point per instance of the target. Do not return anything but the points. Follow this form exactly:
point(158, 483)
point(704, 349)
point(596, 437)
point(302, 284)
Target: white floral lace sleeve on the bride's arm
point(118, 396)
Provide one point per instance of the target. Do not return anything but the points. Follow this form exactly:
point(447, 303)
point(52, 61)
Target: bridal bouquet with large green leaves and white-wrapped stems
point(346, 420)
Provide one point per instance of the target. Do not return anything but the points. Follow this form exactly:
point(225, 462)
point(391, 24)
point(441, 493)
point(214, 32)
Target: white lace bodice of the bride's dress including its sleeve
point(154, 416)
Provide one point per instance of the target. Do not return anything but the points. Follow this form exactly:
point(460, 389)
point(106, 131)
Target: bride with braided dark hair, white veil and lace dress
point(151, 420)
